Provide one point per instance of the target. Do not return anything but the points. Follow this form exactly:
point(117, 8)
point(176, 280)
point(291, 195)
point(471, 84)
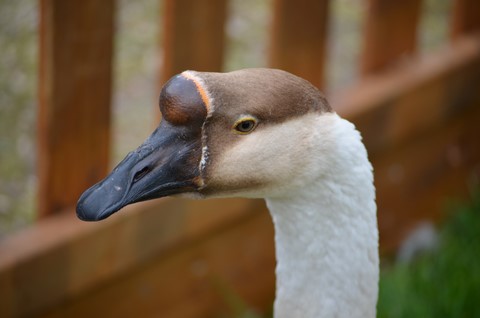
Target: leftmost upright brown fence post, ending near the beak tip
point(76, 42)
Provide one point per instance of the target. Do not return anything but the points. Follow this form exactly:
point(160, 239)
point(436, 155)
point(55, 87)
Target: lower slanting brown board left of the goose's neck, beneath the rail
point(193, 280)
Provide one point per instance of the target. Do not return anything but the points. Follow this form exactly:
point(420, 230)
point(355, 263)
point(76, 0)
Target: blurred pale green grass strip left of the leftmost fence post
point(17, 112)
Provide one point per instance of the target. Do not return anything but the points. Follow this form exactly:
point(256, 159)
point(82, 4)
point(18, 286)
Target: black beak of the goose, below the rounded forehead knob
point(165, 164)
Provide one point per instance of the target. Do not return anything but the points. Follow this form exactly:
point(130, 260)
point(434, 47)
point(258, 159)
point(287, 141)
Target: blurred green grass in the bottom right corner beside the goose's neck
point(444, 283)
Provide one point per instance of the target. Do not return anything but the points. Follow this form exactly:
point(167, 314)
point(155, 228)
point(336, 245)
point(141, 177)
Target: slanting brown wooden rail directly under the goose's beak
point(62, 257)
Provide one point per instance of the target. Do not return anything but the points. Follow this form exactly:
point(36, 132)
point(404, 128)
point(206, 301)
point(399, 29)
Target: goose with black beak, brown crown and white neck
point(265, 133)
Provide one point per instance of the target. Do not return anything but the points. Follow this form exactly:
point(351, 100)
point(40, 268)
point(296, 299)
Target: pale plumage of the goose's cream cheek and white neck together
point(318, 184)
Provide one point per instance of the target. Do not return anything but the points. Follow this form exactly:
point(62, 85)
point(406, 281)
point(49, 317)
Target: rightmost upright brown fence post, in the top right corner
point(466, 17)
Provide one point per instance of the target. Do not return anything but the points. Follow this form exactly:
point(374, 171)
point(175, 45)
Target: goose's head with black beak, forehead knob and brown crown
point(244, 133)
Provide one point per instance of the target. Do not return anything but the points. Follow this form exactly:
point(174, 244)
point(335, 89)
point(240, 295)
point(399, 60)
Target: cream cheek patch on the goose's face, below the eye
point(274, 156)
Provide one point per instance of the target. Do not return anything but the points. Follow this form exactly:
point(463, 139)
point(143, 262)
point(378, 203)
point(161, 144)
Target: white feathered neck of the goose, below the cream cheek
point(327, 239)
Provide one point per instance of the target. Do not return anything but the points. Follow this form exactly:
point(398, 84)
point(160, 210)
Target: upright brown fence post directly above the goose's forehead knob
point(193, 36)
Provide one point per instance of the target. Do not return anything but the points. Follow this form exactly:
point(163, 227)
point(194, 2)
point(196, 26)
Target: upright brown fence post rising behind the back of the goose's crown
point(298, 38)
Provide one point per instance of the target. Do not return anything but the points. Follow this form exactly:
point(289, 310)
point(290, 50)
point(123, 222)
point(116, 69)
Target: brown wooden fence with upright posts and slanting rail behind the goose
point(176, 258)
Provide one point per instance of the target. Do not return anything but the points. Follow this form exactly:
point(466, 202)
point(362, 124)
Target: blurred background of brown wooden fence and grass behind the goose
point(406, 73)
